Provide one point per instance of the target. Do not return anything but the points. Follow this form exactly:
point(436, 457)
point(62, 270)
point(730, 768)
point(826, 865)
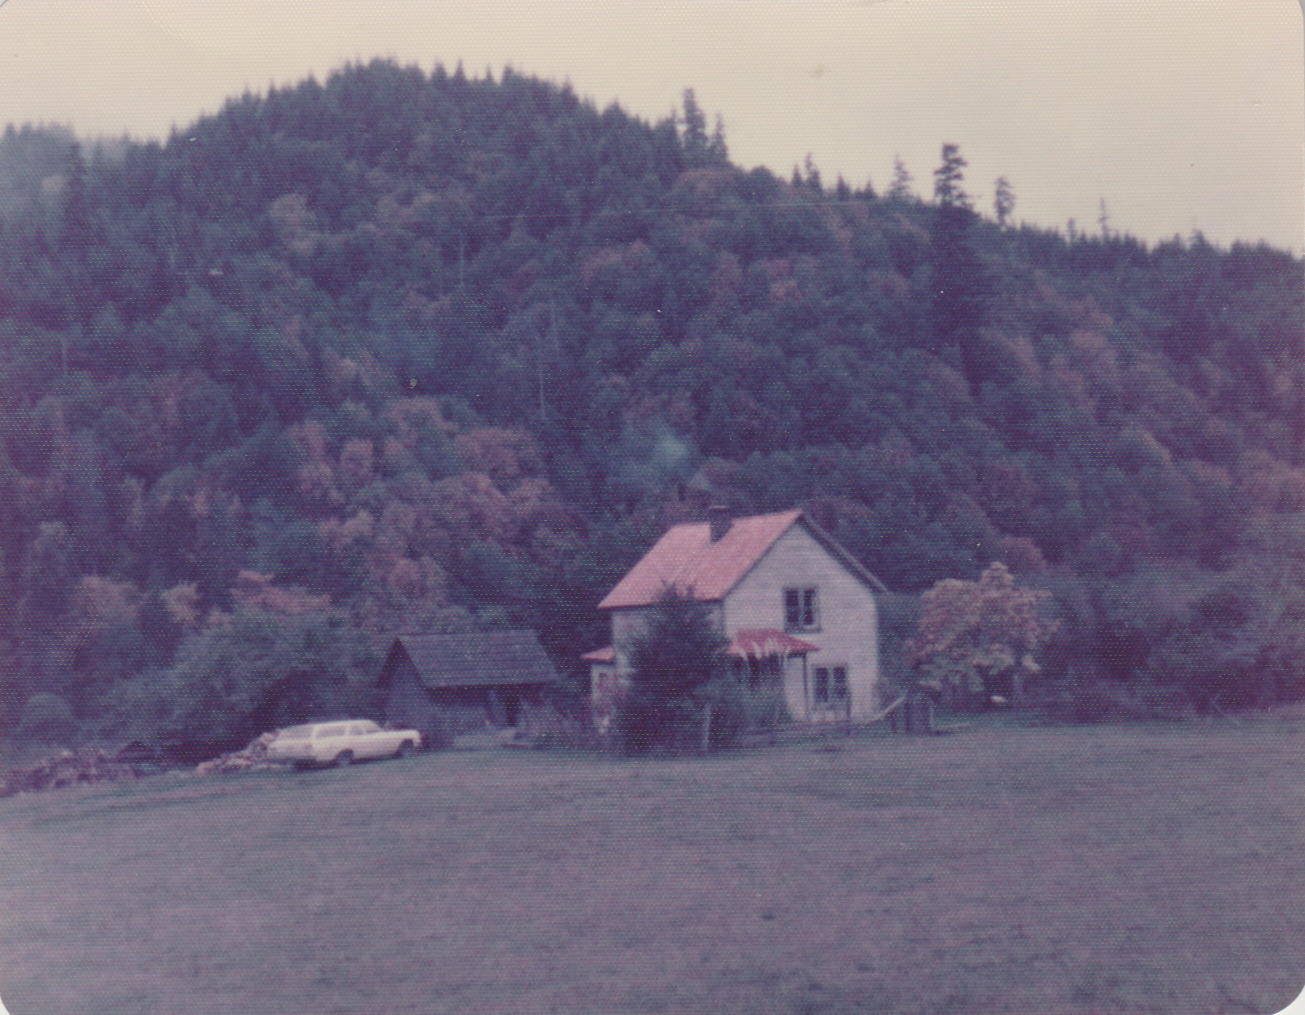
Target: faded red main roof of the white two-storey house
point(687, 560)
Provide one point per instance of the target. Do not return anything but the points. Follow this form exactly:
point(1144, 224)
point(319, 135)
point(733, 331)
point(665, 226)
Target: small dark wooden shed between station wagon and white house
point(464, 683)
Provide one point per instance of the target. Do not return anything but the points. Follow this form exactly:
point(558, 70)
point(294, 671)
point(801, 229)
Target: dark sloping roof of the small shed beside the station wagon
point(480, 659)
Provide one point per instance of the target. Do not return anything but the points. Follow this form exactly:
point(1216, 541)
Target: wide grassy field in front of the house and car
point(994, 871)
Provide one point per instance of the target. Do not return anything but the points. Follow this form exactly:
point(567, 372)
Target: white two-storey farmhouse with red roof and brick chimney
point(799, 611)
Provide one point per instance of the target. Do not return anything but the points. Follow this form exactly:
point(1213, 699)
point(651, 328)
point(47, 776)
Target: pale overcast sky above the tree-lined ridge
point(1182, 114)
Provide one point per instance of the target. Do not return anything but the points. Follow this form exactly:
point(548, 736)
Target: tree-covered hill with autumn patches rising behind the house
point(425, 352)
